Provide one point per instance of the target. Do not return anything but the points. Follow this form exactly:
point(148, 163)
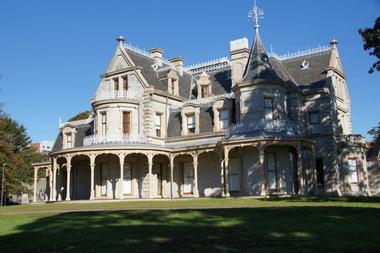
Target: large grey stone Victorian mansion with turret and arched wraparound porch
point(252, 123)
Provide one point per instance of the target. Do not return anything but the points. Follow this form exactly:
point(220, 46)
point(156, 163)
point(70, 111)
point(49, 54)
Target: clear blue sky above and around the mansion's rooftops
point(52, 52)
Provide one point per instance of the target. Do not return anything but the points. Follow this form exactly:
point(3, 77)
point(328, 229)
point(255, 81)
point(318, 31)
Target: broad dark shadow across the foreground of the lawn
point(291, 229)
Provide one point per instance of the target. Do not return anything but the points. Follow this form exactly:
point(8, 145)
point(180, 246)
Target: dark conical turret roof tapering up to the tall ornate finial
point(259, 66)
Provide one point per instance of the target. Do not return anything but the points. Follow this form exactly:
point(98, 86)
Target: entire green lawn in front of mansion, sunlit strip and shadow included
point(253, 225)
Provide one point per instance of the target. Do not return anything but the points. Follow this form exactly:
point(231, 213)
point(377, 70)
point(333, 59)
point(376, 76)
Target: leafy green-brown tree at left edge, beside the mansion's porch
point(16, 153)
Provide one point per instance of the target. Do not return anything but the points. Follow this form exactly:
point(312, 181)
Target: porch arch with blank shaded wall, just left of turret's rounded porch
point(209, 182)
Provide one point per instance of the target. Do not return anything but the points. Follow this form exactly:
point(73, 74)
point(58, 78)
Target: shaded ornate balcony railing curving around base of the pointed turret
point(281, 127)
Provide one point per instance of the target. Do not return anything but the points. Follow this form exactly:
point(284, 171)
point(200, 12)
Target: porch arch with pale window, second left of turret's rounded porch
point(183, 176)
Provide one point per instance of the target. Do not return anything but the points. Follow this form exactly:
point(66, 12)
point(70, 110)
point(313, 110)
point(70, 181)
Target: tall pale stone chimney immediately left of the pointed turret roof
point(239, 53)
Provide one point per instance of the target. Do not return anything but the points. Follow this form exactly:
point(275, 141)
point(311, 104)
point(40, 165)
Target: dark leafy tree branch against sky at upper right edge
point(371, 39)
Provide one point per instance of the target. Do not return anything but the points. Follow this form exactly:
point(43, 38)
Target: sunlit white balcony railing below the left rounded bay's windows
point(111, 139)
